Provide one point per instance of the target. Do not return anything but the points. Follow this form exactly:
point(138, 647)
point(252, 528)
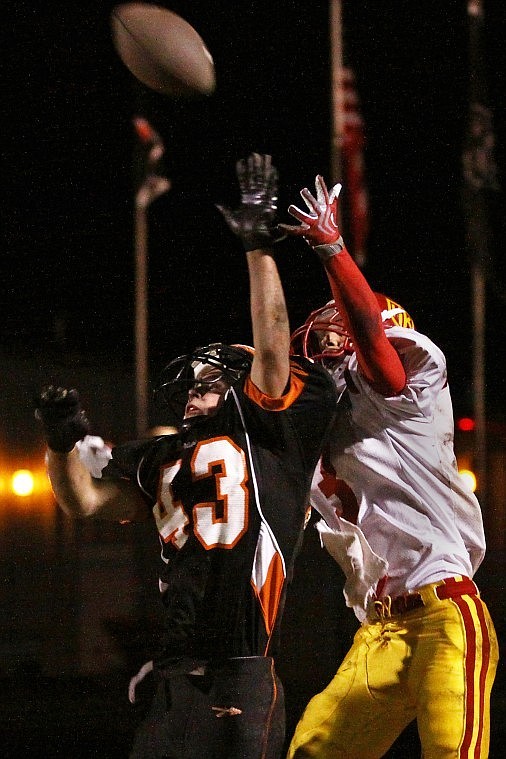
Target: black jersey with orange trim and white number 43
point(229, 497)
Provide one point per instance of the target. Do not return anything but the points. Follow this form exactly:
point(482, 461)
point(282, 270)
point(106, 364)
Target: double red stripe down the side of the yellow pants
point(477, 660)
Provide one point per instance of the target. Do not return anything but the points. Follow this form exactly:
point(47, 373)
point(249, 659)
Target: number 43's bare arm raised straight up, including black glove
point(254, 223)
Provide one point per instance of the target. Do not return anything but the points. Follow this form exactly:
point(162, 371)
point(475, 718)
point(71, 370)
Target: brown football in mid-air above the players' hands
point(162, 50)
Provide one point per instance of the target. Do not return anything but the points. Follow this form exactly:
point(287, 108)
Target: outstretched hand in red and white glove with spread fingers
point(319, 227)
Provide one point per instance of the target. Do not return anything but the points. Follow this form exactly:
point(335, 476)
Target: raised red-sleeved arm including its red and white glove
point(377, 358)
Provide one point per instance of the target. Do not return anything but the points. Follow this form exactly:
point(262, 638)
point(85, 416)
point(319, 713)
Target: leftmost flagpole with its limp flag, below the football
point(152, 185)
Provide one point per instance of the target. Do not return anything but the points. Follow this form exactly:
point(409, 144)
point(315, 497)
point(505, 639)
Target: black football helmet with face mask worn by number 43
point(182, 373)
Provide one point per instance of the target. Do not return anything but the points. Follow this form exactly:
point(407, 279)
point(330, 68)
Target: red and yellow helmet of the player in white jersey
point(306, 340)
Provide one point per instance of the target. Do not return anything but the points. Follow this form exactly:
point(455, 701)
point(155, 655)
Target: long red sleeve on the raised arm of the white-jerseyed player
point(377, 358)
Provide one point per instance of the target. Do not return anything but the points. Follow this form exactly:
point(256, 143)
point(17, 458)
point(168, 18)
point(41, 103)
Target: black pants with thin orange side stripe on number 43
point(235, 710)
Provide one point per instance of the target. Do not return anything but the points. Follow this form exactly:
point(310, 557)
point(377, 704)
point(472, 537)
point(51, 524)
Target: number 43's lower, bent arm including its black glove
point(78, 493)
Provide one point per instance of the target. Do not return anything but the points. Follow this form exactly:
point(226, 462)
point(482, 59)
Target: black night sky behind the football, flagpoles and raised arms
point(68, 171)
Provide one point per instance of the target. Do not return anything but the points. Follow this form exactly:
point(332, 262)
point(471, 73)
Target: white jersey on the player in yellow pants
point(404, 512)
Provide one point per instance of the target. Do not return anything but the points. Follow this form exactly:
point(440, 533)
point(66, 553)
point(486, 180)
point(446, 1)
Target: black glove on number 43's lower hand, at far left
point(63, 419)
